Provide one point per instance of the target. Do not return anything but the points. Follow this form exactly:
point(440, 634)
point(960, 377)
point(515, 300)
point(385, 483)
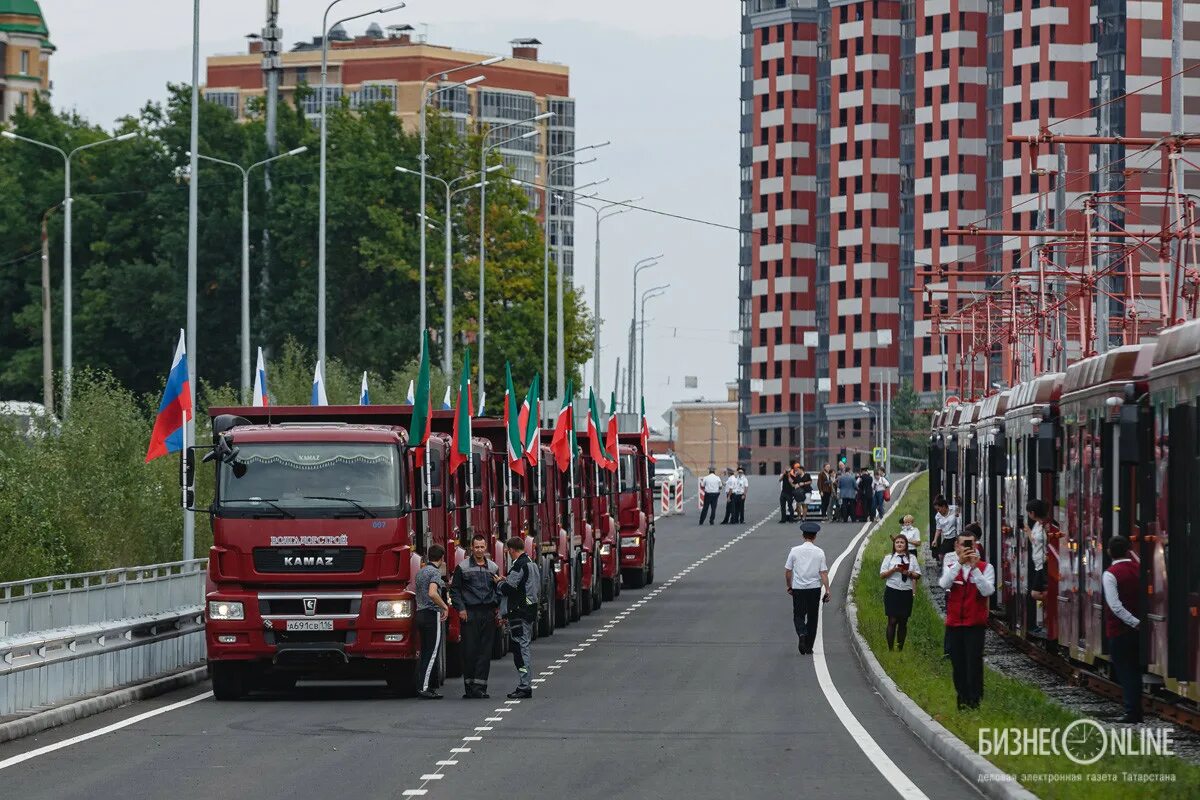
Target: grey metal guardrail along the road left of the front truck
point(68, 636)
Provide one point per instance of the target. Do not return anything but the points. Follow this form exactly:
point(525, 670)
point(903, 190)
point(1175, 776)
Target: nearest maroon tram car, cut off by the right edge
point(1171, 548)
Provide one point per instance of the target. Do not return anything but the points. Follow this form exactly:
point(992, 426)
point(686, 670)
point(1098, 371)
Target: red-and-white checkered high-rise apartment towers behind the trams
point(914, 101)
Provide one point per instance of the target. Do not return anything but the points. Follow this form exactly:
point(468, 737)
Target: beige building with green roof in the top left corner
point(26, 53)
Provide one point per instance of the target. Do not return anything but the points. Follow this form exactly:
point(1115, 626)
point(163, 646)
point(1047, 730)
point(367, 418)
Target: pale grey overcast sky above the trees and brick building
point(657, 79)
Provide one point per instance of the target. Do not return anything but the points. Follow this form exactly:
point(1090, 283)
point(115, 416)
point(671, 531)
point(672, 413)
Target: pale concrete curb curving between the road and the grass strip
point(988, 779)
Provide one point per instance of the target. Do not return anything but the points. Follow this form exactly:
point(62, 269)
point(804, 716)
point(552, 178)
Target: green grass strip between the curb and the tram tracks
point(925, 676)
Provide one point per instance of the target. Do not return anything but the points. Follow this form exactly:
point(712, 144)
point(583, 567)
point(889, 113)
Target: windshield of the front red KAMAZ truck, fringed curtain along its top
point(302, 476)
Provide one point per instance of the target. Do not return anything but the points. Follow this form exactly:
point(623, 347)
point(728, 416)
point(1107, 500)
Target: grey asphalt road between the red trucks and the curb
point(692, 688)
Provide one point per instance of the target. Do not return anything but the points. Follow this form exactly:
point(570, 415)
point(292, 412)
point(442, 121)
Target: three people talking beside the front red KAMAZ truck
point(481, 596)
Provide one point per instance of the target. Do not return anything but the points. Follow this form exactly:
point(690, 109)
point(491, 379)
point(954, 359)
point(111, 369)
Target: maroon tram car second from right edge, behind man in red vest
point(1100, 480)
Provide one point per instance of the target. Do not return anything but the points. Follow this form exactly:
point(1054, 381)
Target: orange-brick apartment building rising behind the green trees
point(379, 68)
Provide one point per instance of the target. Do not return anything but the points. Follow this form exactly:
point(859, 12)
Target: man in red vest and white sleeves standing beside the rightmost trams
point(1123, 627)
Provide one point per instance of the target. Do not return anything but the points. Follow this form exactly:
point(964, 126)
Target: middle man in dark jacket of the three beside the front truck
point(475, 598)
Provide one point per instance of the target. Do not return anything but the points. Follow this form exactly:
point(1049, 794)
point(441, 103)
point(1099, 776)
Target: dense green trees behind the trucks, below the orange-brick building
point(130, 251)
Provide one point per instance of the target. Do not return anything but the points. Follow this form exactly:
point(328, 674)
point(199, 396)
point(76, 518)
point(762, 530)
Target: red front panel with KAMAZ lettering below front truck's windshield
point(310, 551)
